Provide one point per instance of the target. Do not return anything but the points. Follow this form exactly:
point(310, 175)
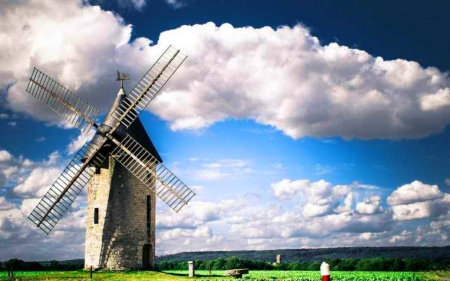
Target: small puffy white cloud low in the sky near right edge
point(414, 192)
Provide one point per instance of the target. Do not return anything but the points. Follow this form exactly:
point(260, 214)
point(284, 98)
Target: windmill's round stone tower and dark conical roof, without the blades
point(120, 224)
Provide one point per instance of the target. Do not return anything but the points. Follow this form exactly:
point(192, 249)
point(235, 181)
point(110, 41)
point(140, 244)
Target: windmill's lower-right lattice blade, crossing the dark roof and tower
point(152, 173)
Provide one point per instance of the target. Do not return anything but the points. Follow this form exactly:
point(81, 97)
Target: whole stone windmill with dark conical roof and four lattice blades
point(121, 167)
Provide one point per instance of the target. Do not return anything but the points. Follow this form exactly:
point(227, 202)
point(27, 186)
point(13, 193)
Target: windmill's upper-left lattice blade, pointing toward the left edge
point(68, 105)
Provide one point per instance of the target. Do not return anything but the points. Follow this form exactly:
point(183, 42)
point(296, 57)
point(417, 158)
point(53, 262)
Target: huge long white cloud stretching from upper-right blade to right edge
point(314, 90)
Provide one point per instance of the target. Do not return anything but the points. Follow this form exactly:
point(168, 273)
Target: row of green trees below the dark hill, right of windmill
point(373, 264)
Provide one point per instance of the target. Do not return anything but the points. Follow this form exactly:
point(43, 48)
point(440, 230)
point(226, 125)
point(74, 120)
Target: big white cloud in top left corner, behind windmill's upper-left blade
point(86, 47)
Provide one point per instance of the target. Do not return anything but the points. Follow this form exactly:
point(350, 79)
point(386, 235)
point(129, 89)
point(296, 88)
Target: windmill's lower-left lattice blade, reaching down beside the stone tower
point(66, 188)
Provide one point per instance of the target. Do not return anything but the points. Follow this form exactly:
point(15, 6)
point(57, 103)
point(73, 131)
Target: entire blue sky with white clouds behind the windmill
point(316, 124)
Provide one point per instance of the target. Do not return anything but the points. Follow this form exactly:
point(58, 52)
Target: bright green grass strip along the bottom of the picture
point(219, 275)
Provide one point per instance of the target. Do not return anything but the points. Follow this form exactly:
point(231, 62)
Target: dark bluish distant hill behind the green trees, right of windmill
point(309, 255)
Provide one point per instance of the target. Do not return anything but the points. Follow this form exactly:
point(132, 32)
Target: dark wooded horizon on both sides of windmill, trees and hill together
point(344, 259)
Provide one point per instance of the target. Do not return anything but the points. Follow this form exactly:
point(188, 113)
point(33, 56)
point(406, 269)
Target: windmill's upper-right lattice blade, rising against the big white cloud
point(149, 86)
